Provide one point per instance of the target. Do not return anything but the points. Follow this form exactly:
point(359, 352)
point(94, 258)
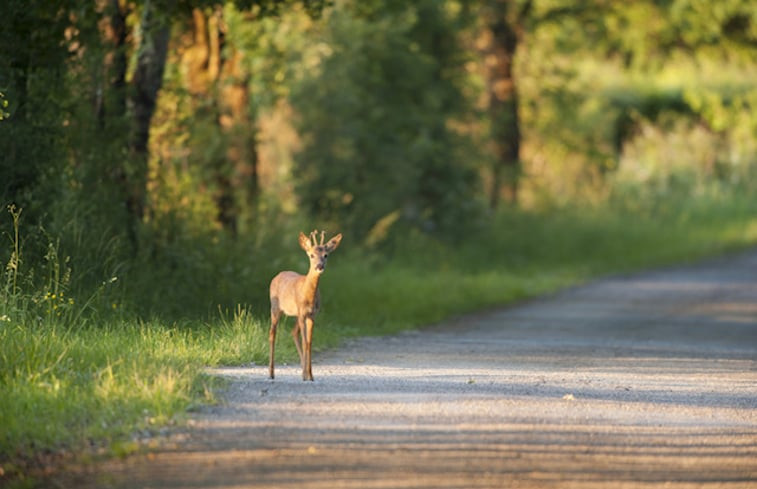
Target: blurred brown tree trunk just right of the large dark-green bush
point(499, 43)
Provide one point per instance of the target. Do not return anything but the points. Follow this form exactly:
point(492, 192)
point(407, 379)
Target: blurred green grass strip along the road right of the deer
point(522, 254)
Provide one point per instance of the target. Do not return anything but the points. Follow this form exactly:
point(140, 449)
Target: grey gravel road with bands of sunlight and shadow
point(641, 381)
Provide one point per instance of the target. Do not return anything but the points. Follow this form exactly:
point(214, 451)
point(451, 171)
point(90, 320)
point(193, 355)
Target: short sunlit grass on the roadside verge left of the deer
point(67, 388)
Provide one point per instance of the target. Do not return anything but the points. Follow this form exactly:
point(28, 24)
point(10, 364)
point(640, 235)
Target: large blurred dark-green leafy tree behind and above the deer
point(376, 122)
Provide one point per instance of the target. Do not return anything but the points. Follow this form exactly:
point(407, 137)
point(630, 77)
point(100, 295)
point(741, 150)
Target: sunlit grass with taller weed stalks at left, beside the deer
point(77, 370)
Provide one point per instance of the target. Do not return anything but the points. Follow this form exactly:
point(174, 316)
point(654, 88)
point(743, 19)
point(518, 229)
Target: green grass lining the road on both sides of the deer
point(67, 383)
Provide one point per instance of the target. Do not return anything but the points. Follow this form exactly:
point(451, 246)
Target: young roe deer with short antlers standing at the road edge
point(297, 295)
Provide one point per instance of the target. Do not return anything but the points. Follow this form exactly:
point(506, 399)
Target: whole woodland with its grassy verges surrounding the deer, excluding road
point(159, 157)
